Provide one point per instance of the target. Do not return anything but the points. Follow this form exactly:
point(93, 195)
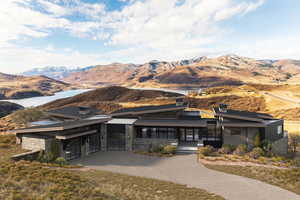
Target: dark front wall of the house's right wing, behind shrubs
point(246, 137)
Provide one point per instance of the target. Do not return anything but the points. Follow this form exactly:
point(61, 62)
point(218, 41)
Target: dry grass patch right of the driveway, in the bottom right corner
point(288, 179)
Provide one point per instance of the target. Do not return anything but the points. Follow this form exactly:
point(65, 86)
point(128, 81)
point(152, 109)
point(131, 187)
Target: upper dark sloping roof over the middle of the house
point(148, 109)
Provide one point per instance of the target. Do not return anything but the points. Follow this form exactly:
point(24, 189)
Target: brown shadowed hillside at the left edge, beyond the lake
point(19, 87)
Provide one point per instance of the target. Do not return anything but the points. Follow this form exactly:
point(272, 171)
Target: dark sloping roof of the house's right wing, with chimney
point(243, 115)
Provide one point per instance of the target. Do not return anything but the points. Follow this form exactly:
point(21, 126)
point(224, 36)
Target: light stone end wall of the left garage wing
point(36, 143)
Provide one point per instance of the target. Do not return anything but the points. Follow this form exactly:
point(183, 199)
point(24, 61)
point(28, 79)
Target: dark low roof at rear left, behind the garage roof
point(75, 112)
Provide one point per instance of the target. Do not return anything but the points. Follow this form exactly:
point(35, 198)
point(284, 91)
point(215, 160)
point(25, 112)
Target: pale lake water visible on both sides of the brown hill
point(37, 101)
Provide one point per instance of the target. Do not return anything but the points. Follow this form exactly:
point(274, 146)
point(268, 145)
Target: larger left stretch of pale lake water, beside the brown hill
point(37, 101)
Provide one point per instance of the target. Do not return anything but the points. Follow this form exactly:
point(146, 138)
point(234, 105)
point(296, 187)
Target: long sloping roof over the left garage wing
point(59, 126)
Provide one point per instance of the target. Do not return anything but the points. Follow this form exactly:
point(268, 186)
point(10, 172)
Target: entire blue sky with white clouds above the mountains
point(37, 33)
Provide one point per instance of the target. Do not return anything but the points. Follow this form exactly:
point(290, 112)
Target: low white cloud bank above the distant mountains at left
point(15, 59)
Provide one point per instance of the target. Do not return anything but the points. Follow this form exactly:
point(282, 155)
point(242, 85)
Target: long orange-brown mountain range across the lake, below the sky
point(193, 73)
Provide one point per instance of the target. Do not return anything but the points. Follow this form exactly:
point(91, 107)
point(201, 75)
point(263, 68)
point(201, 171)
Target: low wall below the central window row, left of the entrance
point(145, 143)
